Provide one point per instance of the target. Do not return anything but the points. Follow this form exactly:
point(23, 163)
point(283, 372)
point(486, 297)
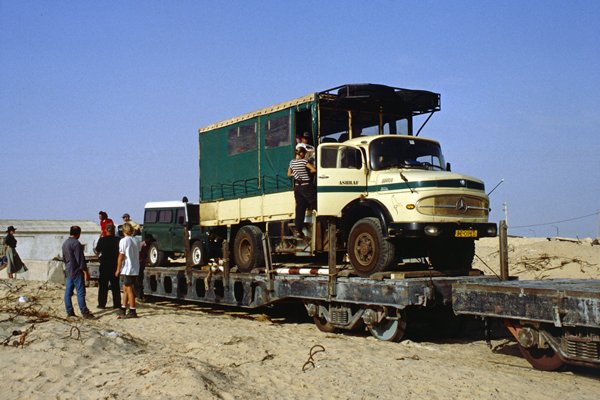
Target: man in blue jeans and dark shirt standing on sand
point(75, 270)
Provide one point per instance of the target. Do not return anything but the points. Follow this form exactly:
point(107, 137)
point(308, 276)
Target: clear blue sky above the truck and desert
point(100, 102)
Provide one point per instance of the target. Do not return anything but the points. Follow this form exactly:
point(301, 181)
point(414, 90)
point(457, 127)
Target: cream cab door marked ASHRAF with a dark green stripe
point(341, 177)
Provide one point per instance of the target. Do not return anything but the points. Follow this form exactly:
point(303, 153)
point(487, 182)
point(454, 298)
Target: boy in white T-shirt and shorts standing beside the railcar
point(128, 265)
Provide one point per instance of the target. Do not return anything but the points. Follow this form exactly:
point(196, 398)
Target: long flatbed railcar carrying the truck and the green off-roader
point(343, 303)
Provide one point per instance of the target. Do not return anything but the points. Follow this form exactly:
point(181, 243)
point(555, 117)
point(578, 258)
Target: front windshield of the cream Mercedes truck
point(400, 152)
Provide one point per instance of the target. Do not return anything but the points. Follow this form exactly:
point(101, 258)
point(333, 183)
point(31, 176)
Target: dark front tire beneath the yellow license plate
point(454, 254)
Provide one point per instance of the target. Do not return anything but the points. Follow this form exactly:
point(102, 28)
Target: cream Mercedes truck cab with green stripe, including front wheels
point(397, 199)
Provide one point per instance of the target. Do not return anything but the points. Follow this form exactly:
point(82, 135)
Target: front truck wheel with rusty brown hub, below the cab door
point(368, 250)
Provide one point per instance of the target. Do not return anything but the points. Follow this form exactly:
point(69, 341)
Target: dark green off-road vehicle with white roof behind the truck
point(171, 231)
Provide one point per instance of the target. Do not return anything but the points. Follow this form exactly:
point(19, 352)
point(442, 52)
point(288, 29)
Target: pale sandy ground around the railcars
point(177, 350)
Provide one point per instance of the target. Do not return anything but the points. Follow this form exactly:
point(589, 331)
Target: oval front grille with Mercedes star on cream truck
point(454, 205)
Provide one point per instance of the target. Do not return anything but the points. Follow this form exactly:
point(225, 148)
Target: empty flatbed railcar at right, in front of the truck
point(555, 322)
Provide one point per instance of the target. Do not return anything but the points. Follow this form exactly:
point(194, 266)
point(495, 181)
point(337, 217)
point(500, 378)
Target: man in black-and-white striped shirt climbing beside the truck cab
point(305, 192)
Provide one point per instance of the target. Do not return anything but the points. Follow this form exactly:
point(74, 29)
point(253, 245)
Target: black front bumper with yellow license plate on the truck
point(446, 230)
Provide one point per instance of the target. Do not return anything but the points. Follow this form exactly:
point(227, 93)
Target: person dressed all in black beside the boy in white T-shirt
point(108, 249)
